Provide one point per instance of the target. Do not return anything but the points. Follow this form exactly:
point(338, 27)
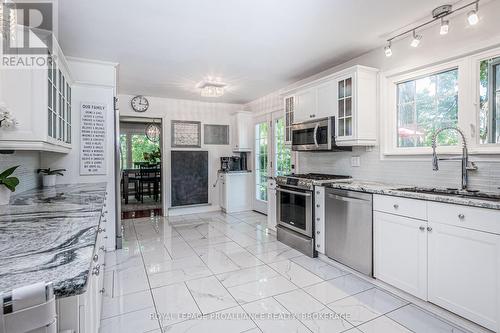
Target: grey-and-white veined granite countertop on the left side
point(49, 235)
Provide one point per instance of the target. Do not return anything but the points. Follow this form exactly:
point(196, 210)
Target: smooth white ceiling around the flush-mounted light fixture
point(165, 47)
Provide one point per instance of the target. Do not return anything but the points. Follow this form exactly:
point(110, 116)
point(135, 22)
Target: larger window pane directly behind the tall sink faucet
point(425, 105)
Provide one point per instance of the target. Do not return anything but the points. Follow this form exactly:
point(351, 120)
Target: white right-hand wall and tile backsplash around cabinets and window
point(461, 40)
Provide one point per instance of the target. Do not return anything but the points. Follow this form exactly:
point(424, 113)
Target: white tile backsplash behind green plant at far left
point(29, 162)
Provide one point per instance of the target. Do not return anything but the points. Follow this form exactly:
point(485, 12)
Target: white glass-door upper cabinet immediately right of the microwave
point(356, 102)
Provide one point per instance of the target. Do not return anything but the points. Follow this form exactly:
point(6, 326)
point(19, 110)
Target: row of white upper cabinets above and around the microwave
point(349, 96)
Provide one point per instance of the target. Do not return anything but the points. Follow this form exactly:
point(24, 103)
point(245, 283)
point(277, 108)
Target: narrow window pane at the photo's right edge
point(489, 101)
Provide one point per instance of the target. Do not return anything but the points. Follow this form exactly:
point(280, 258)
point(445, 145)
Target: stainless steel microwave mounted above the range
point(316, 135)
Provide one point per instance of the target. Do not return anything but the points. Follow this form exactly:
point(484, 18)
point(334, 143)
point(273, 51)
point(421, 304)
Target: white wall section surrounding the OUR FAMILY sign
point(101, 90)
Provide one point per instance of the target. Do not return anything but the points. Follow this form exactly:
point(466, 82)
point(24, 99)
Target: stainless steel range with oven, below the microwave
point(295, 213)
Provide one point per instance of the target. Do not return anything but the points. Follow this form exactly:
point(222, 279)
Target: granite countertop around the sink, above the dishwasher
point(391, 189)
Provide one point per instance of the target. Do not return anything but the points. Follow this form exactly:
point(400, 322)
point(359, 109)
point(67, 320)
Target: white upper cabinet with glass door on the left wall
point(39, 97)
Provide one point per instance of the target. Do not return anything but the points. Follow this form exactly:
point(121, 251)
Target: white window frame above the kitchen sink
point(468, 99)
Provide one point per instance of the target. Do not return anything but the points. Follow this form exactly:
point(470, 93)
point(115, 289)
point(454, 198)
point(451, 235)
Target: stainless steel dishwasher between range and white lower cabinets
point(349, 229)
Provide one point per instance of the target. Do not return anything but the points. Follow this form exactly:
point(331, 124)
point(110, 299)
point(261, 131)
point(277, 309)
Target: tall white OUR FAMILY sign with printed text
point(93, 139)
